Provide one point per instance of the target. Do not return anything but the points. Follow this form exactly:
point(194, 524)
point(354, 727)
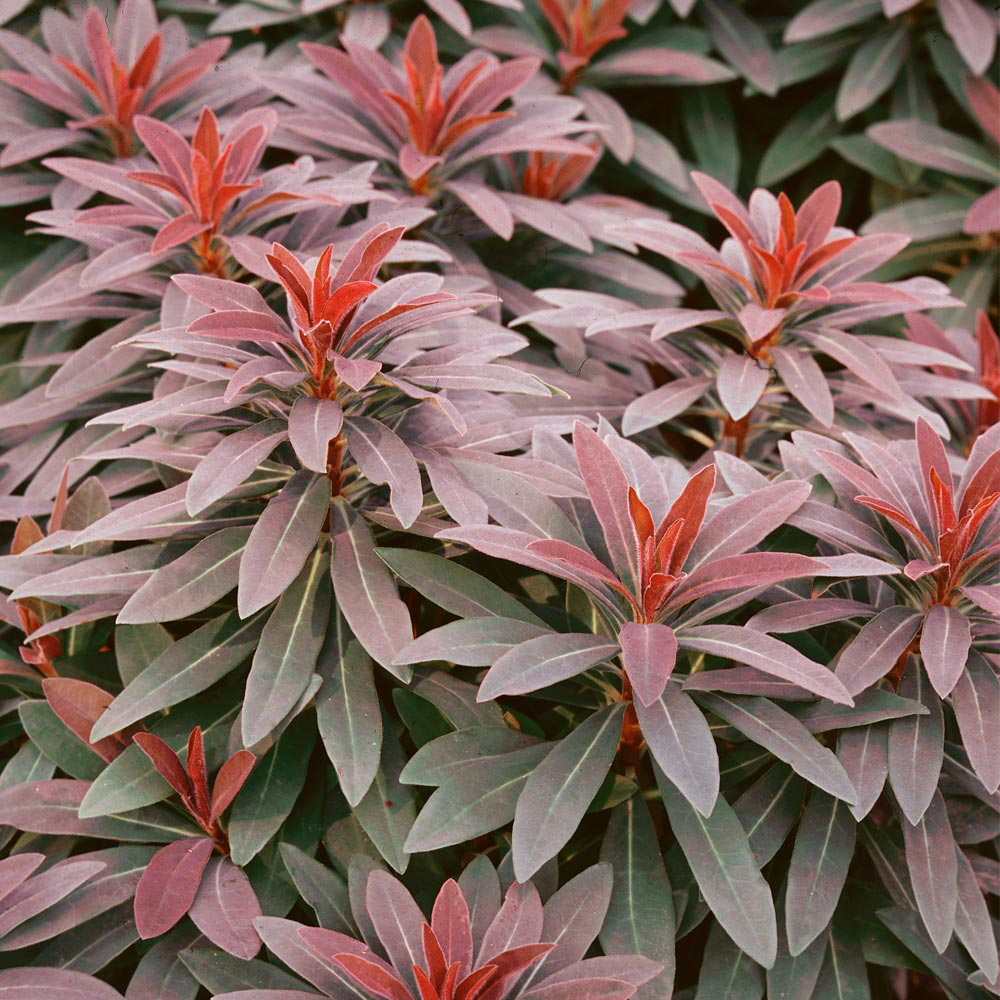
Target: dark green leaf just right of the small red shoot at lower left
point(270, 792)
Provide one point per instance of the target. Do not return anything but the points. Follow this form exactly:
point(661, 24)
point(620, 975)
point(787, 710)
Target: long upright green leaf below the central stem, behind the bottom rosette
point(640, 917)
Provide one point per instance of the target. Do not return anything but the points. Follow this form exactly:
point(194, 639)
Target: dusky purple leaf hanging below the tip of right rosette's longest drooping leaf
point(933, 868)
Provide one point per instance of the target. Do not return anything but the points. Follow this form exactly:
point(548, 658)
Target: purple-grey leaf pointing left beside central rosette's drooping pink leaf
point(545, 660)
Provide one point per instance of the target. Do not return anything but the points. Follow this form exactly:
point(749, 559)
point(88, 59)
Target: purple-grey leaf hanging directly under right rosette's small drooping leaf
point(916, 747)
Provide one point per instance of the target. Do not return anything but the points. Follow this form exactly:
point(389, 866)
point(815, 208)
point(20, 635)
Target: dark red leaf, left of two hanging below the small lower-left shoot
point(169, 884)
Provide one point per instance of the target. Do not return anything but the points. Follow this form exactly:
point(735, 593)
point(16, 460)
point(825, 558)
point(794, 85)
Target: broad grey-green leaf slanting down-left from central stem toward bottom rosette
point(559, 790)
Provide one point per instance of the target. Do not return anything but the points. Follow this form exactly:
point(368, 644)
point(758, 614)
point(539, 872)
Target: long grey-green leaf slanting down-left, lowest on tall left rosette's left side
point(186, 668)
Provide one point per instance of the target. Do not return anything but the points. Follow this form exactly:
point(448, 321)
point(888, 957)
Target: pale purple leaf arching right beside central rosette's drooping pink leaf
point(765, 653)
